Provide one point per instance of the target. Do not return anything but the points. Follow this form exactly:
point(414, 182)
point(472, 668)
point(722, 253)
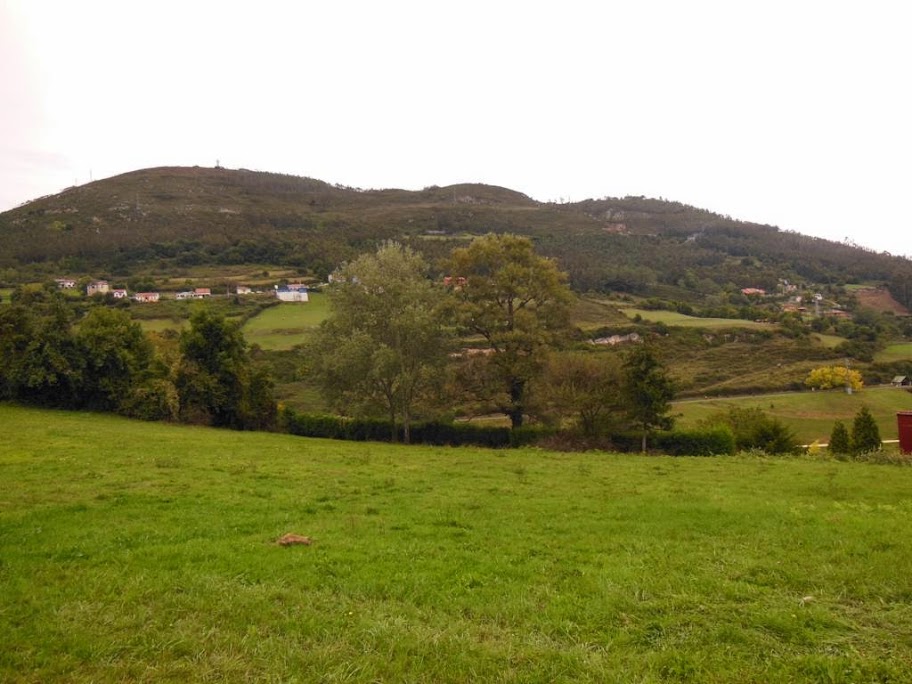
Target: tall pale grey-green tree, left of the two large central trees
point(385, 340)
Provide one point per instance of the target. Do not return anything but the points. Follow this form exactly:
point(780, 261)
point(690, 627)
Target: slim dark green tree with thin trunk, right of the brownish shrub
point(648, 391)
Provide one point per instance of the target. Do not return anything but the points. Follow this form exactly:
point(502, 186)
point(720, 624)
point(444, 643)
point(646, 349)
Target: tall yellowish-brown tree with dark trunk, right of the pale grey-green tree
point(519, 303)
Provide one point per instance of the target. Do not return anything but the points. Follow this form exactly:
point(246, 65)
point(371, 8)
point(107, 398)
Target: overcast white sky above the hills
point(794, 113)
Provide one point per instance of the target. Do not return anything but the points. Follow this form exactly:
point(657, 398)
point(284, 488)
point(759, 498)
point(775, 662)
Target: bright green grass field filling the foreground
point(145, 552)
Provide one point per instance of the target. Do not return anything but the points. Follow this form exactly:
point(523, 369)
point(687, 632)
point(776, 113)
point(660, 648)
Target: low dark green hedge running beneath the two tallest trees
point(434, 433)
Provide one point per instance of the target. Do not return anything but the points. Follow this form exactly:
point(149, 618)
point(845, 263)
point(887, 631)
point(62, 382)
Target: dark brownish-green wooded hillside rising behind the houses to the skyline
point(169, 217)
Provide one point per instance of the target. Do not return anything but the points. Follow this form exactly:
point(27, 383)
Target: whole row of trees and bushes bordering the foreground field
point(493, 336)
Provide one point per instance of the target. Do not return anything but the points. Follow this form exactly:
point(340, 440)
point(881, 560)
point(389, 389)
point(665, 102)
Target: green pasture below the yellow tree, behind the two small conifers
point(810, 414)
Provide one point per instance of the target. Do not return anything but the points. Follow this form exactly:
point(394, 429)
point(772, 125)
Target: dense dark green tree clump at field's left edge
point(53, 354)
